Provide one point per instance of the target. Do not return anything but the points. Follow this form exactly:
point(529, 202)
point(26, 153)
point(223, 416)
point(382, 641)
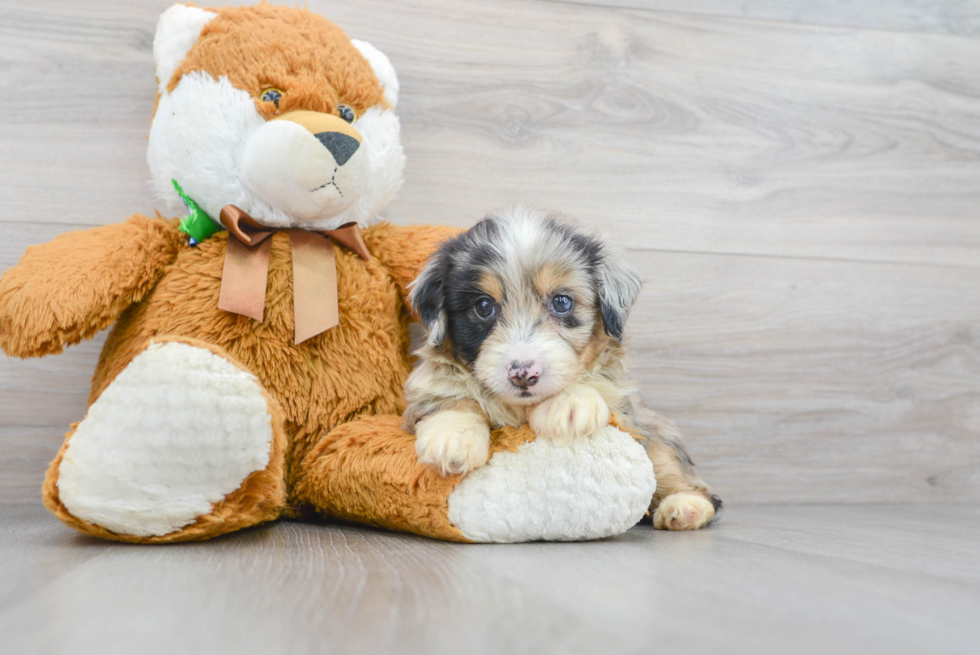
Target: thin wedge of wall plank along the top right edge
point(959, 17)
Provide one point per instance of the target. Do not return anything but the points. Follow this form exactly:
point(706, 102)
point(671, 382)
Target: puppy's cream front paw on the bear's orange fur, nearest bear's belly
point(453, 442)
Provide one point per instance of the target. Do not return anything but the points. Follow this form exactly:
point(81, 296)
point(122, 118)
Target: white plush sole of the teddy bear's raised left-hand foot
point(178, 430)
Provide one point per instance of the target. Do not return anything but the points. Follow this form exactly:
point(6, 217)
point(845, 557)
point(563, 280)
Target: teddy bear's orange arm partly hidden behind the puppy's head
point(405, 249)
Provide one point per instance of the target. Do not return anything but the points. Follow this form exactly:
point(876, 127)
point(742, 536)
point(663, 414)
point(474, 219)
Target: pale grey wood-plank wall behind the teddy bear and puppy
point(801, 198)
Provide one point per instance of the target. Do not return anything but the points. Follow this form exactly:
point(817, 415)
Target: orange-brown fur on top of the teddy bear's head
point(308, 58)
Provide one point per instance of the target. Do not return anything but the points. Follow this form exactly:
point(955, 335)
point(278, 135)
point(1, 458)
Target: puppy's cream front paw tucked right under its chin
point(579, 411)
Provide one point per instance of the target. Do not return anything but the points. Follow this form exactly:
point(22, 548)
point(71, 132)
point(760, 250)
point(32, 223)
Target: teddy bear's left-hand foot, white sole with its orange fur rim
point(184, 444)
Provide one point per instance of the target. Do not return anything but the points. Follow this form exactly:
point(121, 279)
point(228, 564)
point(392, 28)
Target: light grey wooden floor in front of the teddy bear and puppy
point(871, 579)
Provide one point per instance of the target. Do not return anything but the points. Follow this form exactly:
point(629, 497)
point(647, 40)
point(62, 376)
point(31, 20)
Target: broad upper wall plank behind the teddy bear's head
point(698, 133)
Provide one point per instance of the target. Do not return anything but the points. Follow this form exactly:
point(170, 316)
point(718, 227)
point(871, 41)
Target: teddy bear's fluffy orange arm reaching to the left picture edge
point(77, 284)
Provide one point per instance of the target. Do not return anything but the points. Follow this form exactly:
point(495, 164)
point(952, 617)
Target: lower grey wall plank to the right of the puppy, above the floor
point(804, 380)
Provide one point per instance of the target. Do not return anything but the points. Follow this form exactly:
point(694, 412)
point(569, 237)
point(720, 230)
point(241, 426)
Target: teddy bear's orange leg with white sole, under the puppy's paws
point(531, 489)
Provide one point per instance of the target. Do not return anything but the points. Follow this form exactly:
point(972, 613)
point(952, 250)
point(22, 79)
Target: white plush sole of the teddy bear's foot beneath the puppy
point(556, 490)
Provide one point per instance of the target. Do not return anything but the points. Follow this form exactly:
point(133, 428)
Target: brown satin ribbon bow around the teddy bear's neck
point(246, 272)
